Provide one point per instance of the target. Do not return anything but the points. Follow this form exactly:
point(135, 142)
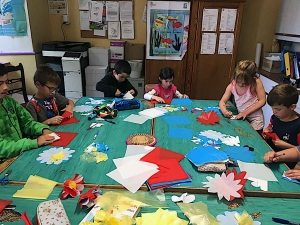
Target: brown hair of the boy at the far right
point(283, 94)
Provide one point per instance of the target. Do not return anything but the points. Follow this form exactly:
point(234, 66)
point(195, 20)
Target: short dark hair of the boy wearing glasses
point(46, 74)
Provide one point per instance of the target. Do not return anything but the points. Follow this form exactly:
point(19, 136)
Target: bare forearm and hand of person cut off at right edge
point(288, 155)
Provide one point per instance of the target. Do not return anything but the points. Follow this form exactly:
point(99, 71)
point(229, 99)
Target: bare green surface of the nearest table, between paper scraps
point(276, 207)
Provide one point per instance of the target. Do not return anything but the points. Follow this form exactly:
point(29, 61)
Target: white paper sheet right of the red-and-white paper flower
point(258, 171)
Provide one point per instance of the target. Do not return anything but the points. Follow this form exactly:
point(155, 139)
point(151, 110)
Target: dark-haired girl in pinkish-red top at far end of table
point(165, 89)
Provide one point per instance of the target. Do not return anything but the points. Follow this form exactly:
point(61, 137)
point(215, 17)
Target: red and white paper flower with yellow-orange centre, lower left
point(72, 187)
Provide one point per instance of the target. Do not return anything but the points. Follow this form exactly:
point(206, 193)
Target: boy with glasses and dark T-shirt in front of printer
point(47, 105)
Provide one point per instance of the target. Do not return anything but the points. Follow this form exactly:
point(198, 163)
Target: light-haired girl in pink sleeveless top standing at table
point(249, 95)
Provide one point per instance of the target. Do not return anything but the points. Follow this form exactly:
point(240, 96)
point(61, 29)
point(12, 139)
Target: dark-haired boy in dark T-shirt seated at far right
point(284, 122)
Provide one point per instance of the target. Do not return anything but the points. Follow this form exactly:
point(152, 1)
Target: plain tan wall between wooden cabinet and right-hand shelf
point(258, 25)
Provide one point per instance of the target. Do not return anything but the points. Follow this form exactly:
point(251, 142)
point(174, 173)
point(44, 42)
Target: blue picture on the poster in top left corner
point(12, 18)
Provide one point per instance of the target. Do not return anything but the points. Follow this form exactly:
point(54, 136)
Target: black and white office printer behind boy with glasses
point(69, 60)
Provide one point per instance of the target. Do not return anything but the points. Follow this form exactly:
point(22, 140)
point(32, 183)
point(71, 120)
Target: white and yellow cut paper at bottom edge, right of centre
point(234, 218)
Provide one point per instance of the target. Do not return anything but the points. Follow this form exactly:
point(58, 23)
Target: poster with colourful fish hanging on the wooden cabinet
point(167, 29)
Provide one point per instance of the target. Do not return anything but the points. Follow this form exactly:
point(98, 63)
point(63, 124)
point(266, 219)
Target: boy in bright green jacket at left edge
point(16, 123)
